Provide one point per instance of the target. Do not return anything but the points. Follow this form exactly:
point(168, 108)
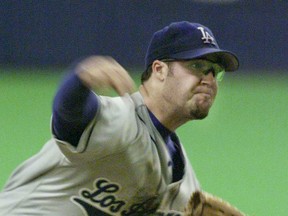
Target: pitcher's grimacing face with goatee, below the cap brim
point(189, 91)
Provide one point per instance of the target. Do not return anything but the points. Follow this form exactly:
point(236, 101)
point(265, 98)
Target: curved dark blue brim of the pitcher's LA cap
point(228, 59)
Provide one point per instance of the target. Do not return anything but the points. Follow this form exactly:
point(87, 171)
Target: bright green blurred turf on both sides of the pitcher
point(239, 152)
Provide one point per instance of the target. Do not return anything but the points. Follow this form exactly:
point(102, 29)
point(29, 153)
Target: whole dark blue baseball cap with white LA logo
point(184, 41)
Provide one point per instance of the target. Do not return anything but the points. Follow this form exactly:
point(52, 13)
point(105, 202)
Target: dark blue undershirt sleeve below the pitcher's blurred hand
point(74, 107)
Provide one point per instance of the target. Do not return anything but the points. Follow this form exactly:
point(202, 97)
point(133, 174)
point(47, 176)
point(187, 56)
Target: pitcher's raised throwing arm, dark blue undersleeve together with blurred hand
point(75, 104)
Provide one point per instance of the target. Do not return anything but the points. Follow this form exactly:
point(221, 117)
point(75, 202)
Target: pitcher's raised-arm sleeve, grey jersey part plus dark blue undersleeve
point(89, 124)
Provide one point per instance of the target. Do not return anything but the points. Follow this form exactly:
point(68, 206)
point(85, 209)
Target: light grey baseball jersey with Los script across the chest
point(120, 167)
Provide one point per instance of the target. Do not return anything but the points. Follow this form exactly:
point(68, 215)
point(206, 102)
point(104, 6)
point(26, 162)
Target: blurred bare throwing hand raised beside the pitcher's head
point(100, 73)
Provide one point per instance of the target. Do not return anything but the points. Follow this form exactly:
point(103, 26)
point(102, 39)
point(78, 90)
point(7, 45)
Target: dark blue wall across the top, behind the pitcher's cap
point(56, 32)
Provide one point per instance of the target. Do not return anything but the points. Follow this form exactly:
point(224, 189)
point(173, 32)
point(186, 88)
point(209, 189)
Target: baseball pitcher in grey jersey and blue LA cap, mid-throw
point(120, 155)
